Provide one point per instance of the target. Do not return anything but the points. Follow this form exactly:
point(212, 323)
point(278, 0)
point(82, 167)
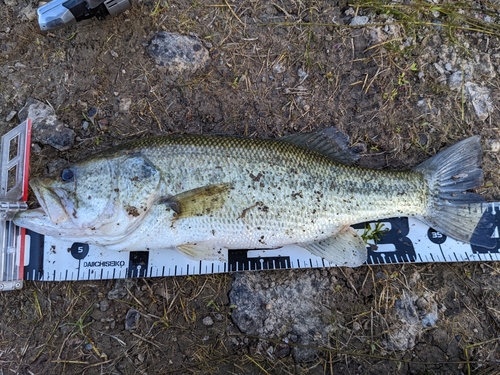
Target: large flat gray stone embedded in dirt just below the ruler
point(283, 307)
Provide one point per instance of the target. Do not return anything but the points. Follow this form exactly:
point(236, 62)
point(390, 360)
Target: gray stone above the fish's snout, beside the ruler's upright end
point(47, 129)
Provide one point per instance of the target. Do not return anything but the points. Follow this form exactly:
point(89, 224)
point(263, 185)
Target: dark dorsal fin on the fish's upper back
point(329, 141)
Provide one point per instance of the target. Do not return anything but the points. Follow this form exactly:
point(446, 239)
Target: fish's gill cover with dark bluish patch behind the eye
point(138, 185)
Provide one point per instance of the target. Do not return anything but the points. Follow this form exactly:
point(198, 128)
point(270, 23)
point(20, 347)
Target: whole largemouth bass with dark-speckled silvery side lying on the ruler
point(201, 194)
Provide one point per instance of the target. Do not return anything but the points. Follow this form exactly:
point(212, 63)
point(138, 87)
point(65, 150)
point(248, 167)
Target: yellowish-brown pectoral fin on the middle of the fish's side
point(198, 202)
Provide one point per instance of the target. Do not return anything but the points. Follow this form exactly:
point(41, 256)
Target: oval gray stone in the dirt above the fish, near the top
point(179, 54)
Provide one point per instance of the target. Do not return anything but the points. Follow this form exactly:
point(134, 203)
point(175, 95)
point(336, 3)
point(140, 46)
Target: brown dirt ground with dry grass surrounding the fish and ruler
point(275, 68)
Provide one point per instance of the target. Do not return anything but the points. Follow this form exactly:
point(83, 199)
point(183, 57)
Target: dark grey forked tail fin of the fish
point(452, 209)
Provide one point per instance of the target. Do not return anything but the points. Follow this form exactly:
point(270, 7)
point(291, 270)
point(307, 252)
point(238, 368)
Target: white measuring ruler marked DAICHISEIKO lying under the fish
point(31, 256)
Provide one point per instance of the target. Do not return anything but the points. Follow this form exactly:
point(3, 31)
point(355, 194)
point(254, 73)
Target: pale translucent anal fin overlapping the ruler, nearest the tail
point(345, 248)
